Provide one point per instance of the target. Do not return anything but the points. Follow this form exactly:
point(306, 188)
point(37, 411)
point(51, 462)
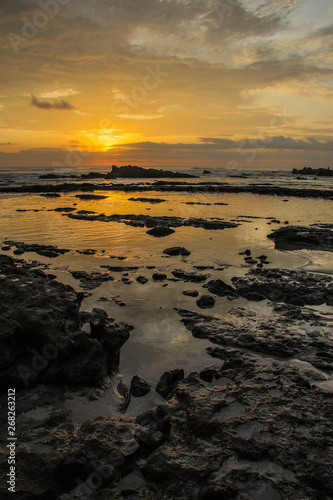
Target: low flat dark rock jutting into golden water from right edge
point(298, 237)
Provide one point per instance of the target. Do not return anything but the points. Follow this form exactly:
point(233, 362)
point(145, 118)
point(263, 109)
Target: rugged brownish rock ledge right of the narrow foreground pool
point(290, 331)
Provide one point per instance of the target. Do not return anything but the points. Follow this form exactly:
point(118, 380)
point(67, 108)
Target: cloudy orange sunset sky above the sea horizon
point(241, 84)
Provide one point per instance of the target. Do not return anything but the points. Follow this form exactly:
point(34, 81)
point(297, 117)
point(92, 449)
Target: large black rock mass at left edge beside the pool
point(41, 333)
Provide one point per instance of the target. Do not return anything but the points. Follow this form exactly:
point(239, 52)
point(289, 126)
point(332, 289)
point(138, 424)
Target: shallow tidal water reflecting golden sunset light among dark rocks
point(160, 341)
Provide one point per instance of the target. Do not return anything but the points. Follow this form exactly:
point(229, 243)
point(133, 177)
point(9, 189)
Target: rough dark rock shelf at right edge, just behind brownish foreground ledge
point(283, 285)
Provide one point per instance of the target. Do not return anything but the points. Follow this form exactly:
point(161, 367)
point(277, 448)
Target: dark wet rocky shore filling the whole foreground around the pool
point(255, 424)
